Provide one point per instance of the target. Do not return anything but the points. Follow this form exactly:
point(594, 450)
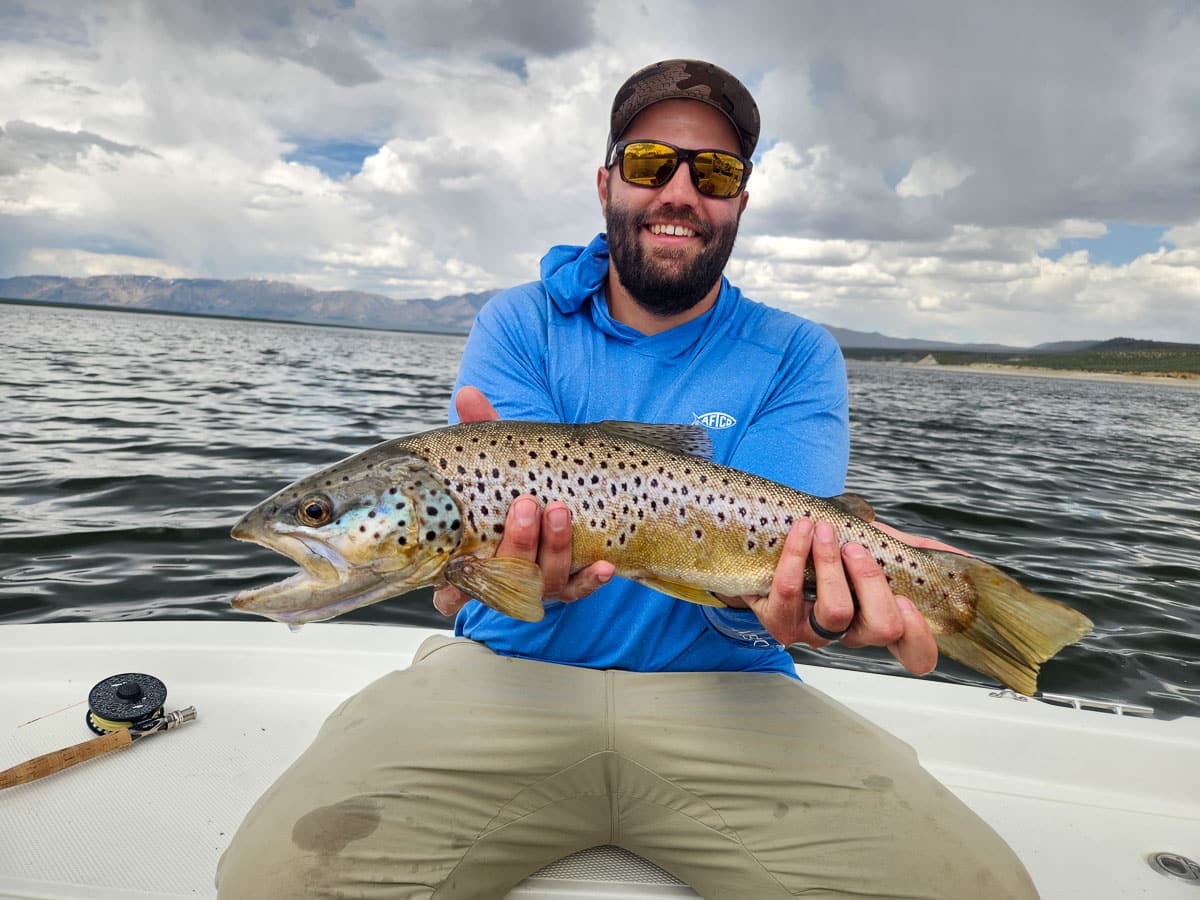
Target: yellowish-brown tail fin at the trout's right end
point(1015, 632)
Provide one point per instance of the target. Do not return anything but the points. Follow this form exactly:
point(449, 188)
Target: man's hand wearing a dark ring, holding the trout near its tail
point(880, 619)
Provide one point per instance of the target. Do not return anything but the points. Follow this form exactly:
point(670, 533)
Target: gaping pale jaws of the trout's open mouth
point(326, 586)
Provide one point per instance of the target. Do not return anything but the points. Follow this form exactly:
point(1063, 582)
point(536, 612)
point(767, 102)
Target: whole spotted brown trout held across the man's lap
point(430, 508)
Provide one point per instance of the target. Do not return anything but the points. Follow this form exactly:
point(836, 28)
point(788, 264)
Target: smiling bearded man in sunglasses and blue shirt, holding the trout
point(626, 717)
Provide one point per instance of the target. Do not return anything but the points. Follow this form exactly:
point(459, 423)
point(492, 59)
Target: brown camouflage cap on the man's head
point(688, 80)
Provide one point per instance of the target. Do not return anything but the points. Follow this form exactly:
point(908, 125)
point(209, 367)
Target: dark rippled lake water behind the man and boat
point(131, 445)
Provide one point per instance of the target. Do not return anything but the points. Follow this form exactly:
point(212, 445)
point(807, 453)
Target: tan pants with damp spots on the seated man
point(467, 772)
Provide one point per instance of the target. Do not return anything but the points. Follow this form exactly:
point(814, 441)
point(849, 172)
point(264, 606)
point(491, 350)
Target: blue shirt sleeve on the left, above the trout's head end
point(506, 357)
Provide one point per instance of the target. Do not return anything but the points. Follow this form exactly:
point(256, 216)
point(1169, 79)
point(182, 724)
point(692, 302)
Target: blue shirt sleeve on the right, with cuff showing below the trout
point(801, 439)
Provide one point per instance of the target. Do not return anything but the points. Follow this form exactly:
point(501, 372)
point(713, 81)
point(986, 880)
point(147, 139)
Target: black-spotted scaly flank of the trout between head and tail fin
point(655, 513)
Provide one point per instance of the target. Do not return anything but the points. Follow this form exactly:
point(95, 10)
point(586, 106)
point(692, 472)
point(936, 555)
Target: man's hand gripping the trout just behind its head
point(543, 536)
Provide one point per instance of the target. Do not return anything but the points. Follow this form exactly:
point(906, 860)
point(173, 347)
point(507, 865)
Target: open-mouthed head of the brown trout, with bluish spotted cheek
point(362, 531)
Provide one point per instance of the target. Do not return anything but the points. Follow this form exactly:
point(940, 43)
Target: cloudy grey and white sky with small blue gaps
point(1016, 172)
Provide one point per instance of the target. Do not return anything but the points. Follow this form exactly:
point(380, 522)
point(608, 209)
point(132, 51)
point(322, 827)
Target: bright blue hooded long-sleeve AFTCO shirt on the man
point(770, 387)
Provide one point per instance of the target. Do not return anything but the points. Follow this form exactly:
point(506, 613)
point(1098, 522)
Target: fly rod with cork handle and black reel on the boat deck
point(122, 710)
